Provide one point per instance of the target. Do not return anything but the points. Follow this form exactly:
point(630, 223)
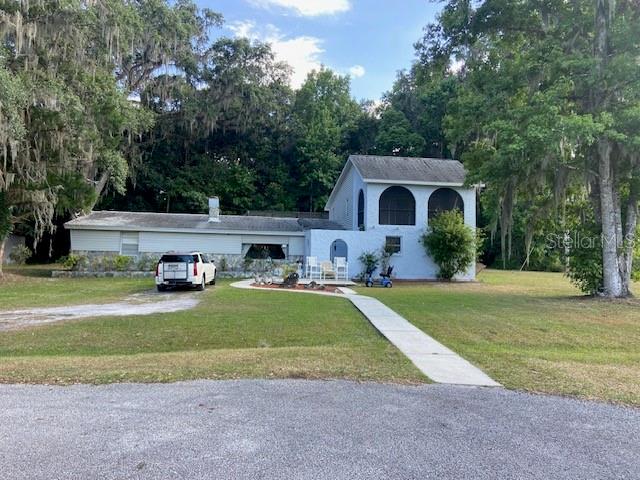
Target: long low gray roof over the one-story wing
point(186, 221)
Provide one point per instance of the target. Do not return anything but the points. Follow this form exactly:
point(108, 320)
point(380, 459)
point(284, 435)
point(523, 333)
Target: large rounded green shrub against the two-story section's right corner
point(450, 243)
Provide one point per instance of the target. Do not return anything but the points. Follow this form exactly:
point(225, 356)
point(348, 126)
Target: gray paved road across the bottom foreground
point(315, 430)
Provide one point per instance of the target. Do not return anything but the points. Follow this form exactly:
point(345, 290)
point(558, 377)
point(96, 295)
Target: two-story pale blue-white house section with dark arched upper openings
point(383, 200)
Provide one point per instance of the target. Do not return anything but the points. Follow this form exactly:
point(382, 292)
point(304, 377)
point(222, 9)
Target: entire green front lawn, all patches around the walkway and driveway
point(530, 331)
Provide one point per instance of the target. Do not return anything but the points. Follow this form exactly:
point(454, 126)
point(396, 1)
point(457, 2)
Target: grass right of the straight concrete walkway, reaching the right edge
point(531, 331)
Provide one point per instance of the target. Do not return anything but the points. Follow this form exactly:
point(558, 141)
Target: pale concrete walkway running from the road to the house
point(436, 361)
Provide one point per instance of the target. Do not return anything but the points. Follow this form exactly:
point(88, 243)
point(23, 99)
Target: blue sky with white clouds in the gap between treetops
point(369, 39)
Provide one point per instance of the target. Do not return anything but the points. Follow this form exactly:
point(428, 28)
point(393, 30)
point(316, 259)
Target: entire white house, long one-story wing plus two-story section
point(376, 201)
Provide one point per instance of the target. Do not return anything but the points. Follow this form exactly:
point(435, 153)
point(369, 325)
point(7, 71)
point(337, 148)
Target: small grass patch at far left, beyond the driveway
point(32, 286)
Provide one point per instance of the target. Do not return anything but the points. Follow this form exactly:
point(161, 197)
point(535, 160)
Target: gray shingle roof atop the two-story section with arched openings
point(409, 169)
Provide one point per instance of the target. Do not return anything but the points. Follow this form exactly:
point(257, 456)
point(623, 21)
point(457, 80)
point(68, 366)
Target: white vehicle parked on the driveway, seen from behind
point(192, 269)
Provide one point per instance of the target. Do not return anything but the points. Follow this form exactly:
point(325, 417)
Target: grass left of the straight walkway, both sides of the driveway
point(231, 334)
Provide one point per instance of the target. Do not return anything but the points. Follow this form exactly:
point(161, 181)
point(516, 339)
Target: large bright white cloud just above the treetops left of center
point(301, 53)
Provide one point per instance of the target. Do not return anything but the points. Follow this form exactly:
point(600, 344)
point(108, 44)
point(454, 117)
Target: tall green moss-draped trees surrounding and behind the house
point(132, 105)
